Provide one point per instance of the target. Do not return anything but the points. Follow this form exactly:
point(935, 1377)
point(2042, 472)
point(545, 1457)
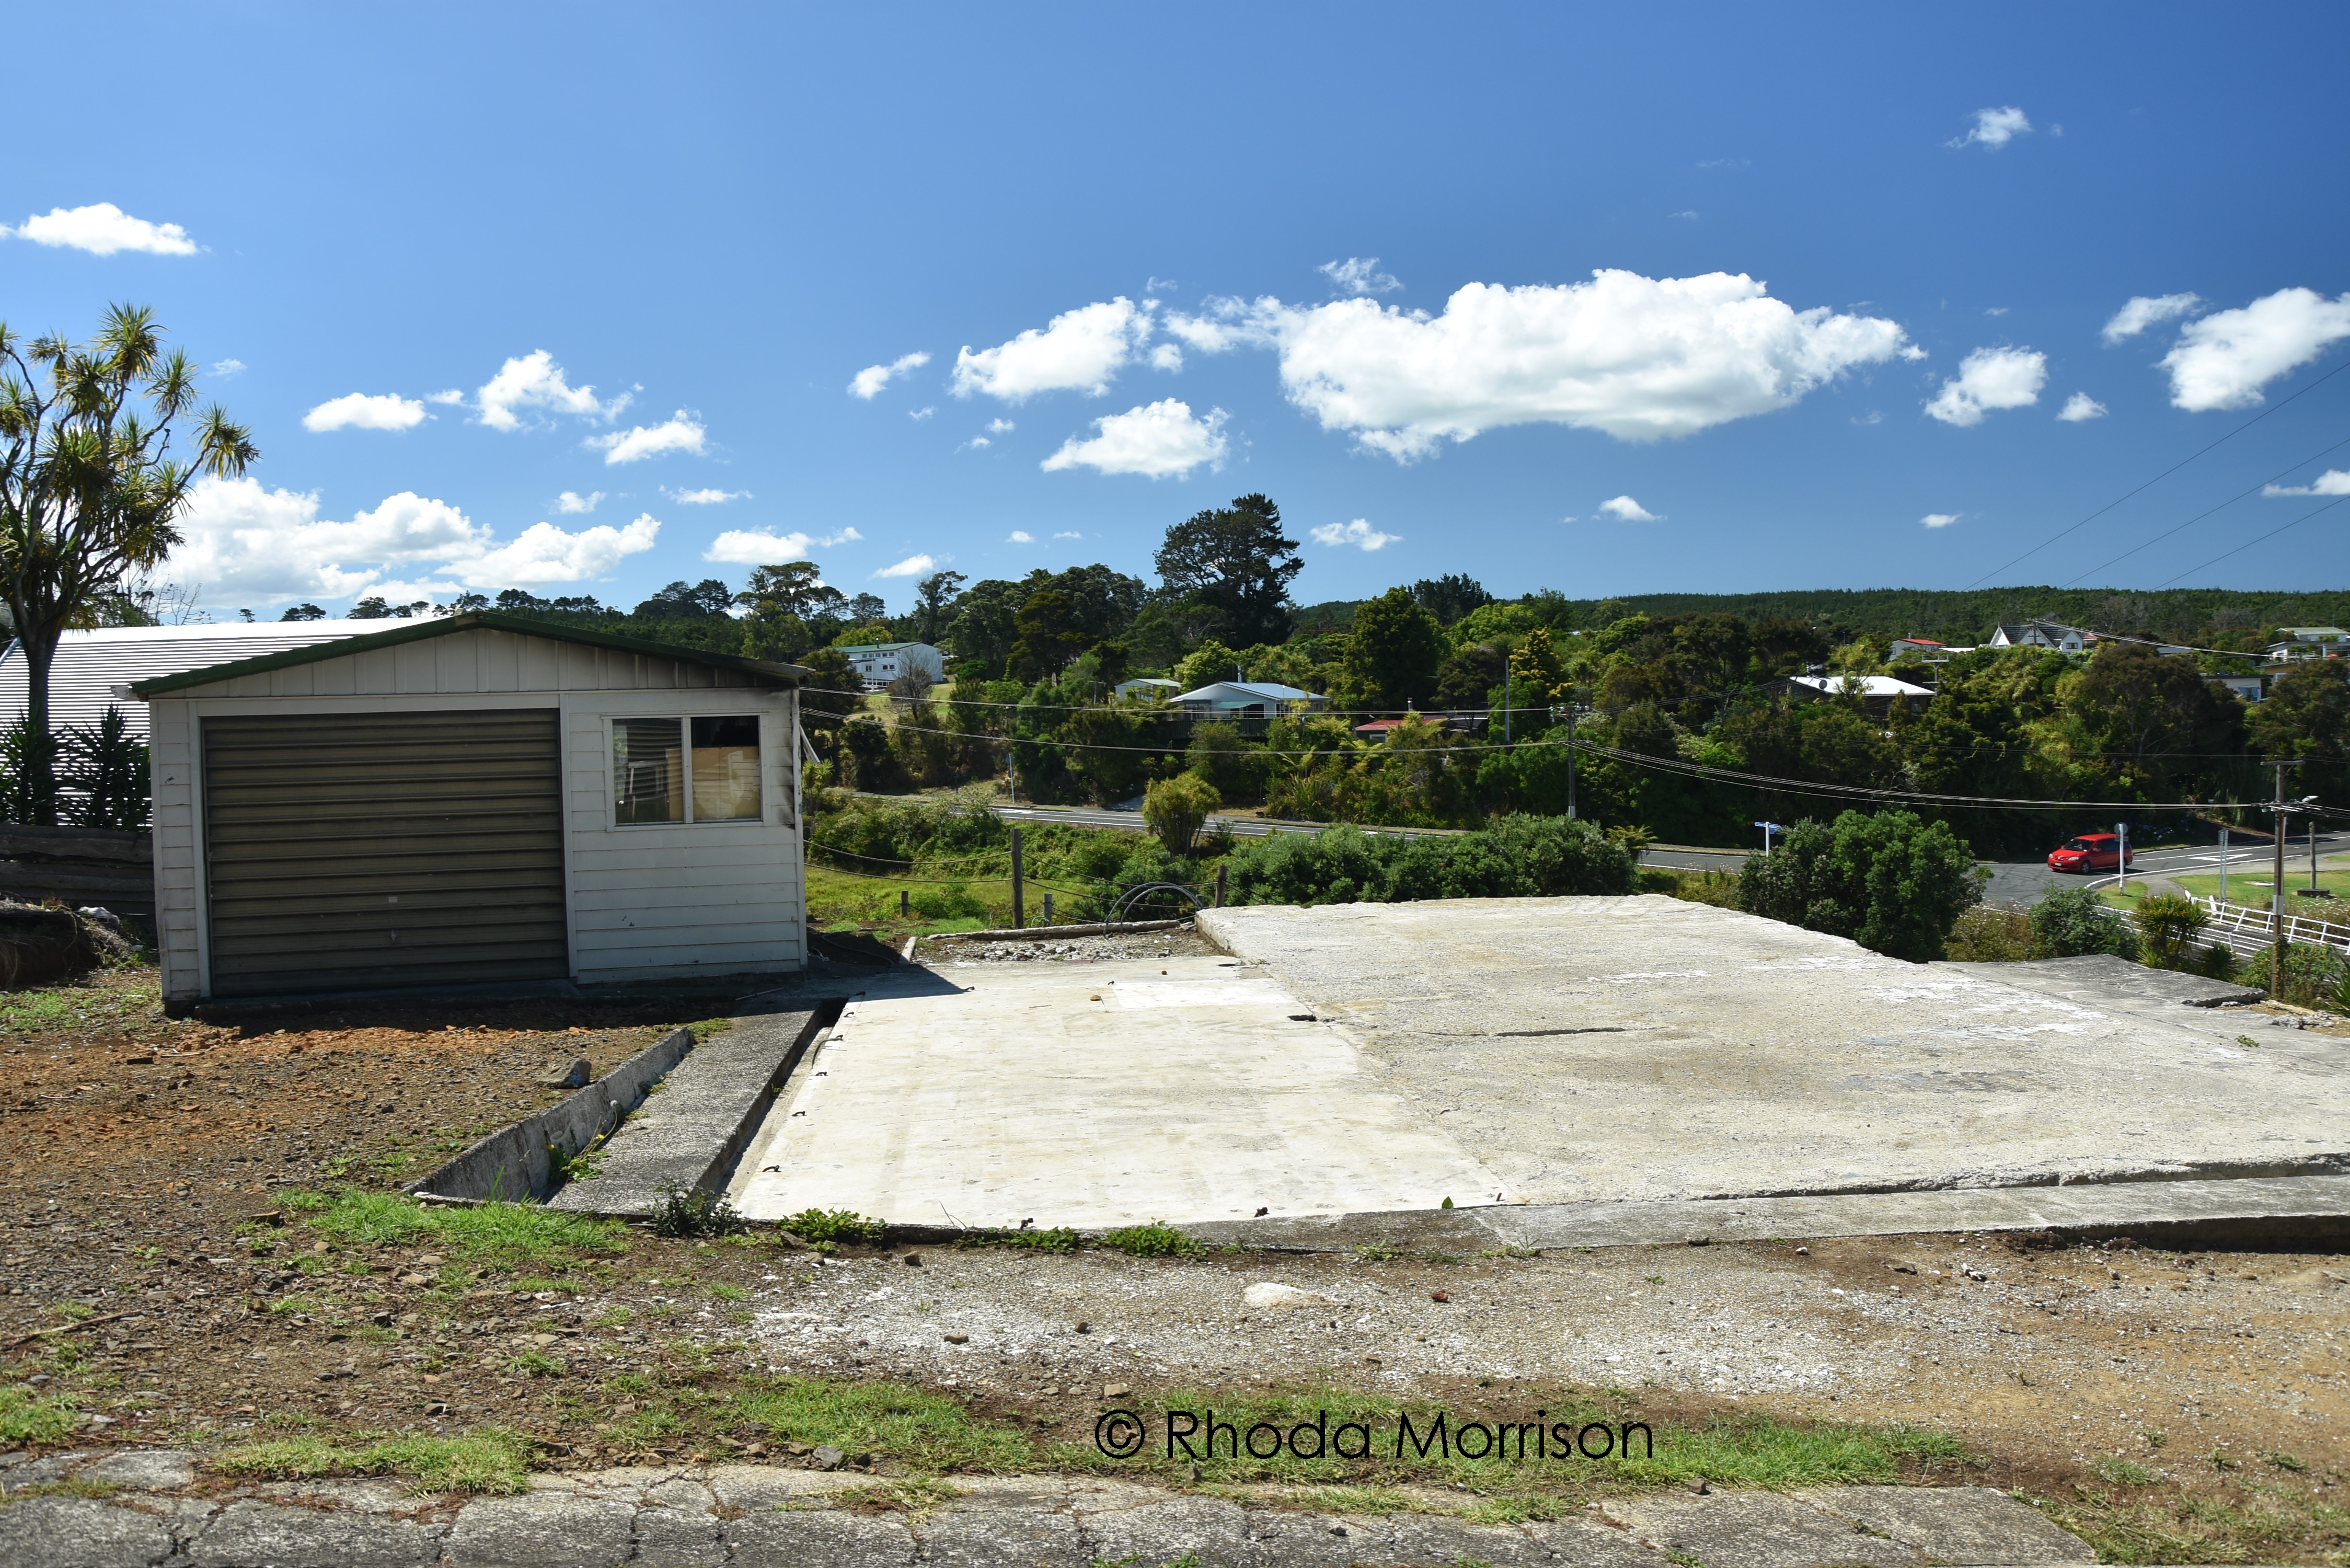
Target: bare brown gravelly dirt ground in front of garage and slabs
point(161, 1264)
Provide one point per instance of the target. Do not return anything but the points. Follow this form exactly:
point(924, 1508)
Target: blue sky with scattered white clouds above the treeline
point(586, 300)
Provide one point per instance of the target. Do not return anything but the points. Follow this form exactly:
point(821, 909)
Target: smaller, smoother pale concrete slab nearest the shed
point(1094, 1097)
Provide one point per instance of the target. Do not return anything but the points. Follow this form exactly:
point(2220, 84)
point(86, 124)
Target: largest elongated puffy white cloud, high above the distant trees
point(1641, 359)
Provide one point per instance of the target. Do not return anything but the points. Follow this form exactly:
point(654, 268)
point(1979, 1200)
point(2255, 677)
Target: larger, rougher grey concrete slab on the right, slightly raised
point(1641, 1050)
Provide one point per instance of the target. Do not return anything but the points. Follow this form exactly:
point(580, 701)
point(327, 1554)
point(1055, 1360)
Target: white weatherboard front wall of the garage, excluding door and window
point(647, 902)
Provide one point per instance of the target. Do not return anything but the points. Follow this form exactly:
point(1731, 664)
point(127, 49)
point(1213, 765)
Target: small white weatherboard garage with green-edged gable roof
point(474, 800)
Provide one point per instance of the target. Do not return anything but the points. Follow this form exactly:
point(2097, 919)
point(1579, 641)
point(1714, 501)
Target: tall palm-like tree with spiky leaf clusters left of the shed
point(90, 490)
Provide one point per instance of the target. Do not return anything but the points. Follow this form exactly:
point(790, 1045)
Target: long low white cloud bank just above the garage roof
point(253, 544)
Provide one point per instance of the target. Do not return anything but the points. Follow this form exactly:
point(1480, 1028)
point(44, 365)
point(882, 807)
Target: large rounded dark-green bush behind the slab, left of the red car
point(1891, 883)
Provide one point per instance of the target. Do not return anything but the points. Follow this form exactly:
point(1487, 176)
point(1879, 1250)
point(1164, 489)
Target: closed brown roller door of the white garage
point(351, 852)
